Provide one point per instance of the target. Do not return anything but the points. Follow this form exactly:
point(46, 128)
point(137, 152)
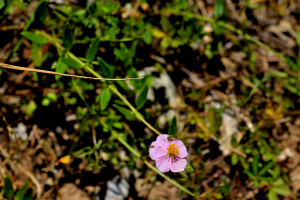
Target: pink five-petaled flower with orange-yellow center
point(169, 154)
